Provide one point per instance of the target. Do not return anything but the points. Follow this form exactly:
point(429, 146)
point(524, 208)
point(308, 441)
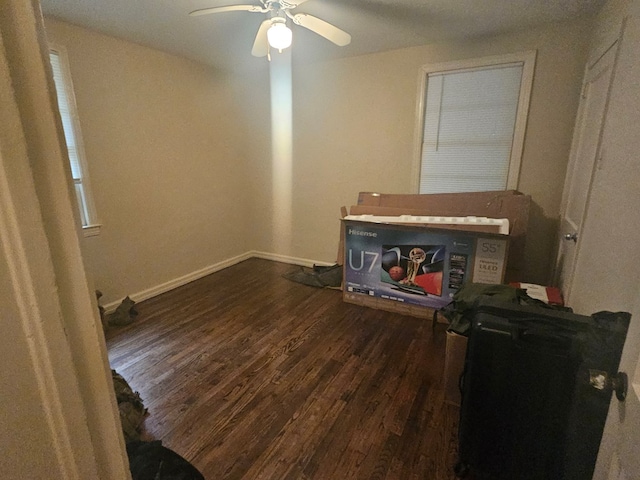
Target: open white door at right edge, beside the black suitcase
point(607, 266)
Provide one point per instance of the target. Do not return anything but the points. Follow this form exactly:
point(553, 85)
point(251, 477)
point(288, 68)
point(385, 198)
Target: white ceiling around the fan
point(224, 40)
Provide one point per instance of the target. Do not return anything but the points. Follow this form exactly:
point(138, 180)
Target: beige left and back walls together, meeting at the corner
point(181, 157)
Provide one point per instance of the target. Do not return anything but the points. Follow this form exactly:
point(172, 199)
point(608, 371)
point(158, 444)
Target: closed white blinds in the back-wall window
point(469, 123)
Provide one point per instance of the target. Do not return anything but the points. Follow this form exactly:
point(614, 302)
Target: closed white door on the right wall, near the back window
point(585, 150)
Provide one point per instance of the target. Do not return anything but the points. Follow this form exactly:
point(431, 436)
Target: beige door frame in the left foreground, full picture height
point(48, 300)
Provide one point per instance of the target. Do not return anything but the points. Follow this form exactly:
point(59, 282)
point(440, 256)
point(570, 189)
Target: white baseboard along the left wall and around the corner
point(203, 272)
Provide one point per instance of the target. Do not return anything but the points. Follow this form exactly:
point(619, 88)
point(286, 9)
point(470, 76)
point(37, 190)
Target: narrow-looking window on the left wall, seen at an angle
point(71, 127)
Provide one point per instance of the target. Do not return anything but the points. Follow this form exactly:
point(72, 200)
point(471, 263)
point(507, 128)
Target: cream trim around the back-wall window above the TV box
point(528, 60)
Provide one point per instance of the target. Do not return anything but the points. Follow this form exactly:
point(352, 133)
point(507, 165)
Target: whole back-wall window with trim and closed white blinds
point(472, 118)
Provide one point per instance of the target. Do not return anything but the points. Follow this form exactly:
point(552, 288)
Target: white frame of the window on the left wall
point(92, 228)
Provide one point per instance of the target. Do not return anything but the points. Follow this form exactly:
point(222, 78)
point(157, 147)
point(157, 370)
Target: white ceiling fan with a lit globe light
point(274, 32)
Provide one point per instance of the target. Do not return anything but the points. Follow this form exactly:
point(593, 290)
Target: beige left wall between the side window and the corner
point(164, 146)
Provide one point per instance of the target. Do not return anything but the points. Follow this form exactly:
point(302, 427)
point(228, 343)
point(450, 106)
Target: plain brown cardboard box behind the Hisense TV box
point(509, 204)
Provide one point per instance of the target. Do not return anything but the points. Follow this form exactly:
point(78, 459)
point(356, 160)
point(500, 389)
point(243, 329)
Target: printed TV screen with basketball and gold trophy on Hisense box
point(416, 269)
